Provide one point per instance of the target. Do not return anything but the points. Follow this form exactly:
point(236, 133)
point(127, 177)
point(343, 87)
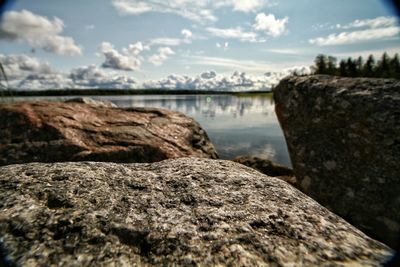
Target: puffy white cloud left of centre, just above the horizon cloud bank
point(129, 59)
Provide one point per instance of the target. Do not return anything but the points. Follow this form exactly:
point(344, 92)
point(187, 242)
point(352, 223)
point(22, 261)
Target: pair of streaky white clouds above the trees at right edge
point(374, 29)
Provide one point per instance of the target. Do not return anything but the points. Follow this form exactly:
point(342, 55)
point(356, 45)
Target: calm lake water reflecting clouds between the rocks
point(235, 125)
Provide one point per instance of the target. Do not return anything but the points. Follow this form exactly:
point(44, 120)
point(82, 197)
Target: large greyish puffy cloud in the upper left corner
point(38, 31)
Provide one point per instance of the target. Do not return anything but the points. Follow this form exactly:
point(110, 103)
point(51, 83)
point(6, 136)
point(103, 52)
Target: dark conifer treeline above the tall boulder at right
point(385, 67)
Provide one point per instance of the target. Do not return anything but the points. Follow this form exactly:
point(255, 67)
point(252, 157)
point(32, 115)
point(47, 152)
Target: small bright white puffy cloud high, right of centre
point(270, 25)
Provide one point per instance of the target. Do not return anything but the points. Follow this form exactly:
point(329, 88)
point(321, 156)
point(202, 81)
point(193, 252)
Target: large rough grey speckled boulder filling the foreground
point(186, 212)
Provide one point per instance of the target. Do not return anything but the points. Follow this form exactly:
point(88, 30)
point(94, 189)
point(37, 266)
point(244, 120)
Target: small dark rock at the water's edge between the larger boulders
point(269, 168)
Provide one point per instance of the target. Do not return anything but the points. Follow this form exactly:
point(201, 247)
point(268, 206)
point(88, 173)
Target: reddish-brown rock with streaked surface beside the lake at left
point(56, 131)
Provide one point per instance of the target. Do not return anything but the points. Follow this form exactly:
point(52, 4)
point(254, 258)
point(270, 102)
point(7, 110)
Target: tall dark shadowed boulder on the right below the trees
point(343, 136)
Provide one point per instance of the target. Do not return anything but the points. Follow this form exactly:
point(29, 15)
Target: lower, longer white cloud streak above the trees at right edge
point(356, 36)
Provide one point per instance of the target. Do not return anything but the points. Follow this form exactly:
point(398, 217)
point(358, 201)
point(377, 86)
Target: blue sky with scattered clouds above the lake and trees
point(184, 44)
